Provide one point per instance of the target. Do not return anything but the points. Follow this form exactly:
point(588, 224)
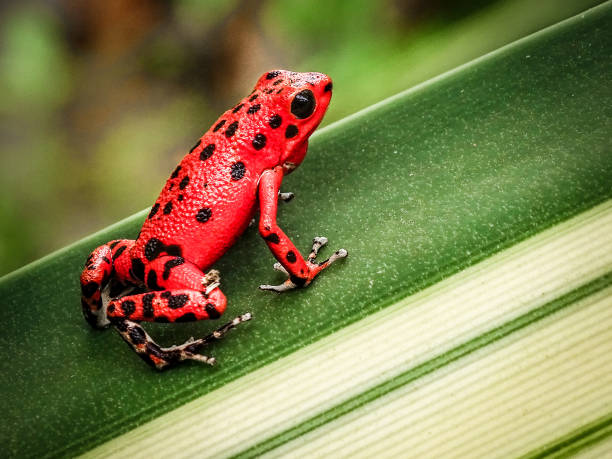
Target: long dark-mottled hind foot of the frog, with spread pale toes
point(162, 358)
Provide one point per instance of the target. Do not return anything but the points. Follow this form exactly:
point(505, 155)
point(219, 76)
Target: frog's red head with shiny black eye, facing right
point(301, 100)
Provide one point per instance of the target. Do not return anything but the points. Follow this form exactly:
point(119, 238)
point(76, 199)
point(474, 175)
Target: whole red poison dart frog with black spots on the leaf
point(235, 168)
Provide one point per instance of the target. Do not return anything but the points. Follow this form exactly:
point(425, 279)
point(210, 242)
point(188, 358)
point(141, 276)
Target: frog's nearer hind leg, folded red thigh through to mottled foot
point(182, 293)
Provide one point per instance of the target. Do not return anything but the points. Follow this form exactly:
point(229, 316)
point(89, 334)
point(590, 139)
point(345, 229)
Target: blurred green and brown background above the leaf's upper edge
point(100, 100)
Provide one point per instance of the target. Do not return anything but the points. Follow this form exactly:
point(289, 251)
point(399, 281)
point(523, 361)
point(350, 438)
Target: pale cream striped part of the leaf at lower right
point(350, 363)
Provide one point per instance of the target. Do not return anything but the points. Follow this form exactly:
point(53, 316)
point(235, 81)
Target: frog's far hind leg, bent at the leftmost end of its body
point(101, 279)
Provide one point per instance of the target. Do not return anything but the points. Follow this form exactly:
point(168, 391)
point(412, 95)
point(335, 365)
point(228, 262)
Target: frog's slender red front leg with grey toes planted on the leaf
point(301, 272)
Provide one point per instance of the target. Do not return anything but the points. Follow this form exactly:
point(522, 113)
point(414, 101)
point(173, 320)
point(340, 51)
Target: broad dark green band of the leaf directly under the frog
point(417, 188)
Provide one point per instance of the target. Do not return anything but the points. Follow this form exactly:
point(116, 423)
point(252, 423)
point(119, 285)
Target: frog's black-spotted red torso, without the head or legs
point(210, 198)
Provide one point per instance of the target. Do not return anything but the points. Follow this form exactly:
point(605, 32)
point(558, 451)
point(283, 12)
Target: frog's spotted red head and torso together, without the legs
point(210, 198)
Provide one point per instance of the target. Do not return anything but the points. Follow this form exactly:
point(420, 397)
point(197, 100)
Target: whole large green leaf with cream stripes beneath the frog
point(475, 209)
